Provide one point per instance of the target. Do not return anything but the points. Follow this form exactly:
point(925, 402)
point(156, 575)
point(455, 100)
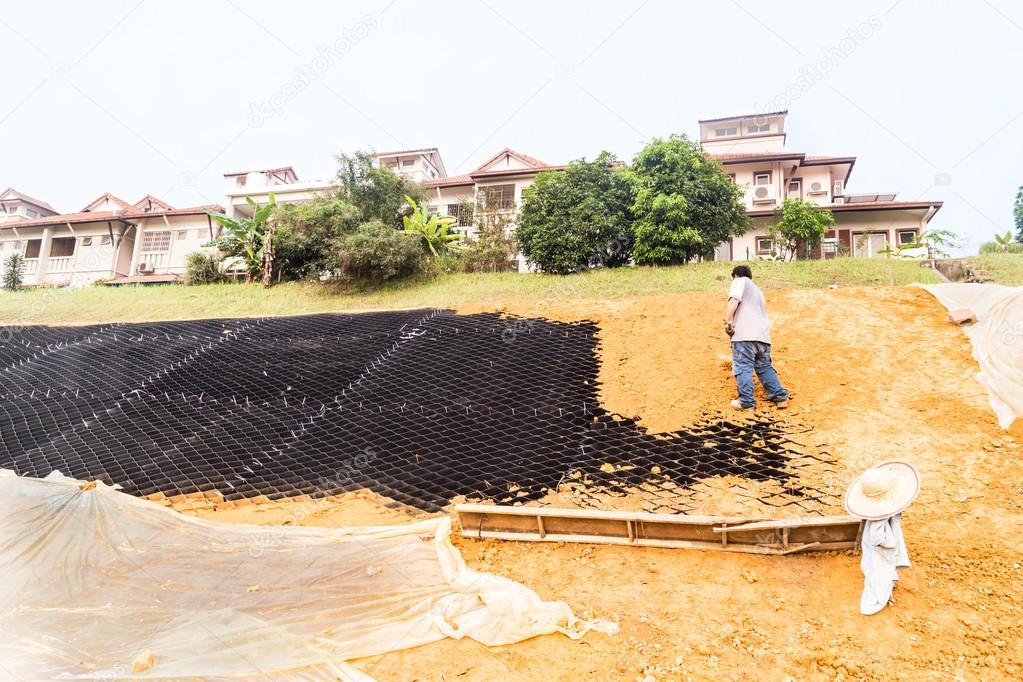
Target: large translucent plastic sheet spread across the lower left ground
point(94, 581)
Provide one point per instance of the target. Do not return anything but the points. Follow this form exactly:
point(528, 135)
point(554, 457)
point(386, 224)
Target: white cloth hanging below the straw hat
point(884, 554)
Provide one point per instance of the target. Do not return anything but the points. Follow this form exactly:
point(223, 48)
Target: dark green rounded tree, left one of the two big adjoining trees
point(579, 218)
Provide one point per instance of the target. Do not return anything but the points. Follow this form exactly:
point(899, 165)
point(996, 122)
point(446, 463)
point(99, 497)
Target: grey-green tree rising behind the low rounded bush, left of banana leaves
point(377, 192)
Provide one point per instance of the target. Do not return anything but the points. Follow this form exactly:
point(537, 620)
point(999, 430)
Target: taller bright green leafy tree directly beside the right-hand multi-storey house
point(686, 204)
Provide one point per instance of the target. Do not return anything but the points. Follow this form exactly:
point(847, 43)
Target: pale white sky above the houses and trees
point(136, 98)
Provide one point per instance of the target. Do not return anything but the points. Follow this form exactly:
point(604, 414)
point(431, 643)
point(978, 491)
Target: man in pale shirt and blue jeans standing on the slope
point(746, 322)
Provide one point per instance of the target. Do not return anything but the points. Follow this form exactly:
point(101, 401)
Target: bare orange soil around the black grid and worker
point(878, 374)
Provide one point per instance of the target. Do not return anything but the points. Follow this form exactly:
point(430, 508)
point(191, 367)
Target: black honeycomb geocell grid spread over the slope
point(420, 406)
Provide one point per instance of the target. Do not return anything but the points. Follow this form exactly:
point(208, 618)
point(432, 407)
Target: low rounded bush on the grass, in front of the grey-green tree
point(376, 254)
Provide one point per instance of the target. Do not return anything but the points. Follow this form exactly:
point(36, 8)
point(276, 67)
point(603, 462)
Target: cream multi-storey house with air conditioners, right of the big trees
point(752, 151)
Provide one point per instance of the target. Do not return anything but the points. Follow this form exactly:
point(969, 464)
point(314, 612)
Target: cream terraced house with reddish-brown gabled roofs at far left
point(110, 239)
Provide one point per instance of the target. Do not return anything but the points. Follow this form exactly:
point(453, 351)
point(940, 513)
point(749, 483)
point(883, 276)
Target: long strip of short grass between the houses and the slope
point(136, 304)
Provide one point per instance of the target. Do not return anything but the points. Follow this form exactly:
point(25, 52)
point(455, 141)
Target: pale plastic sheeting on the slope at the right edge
point(997, 339)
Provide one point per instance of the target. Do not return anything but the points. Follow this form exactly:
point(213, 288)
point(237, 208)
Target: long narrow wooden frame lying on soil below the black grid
point(755, 536)
